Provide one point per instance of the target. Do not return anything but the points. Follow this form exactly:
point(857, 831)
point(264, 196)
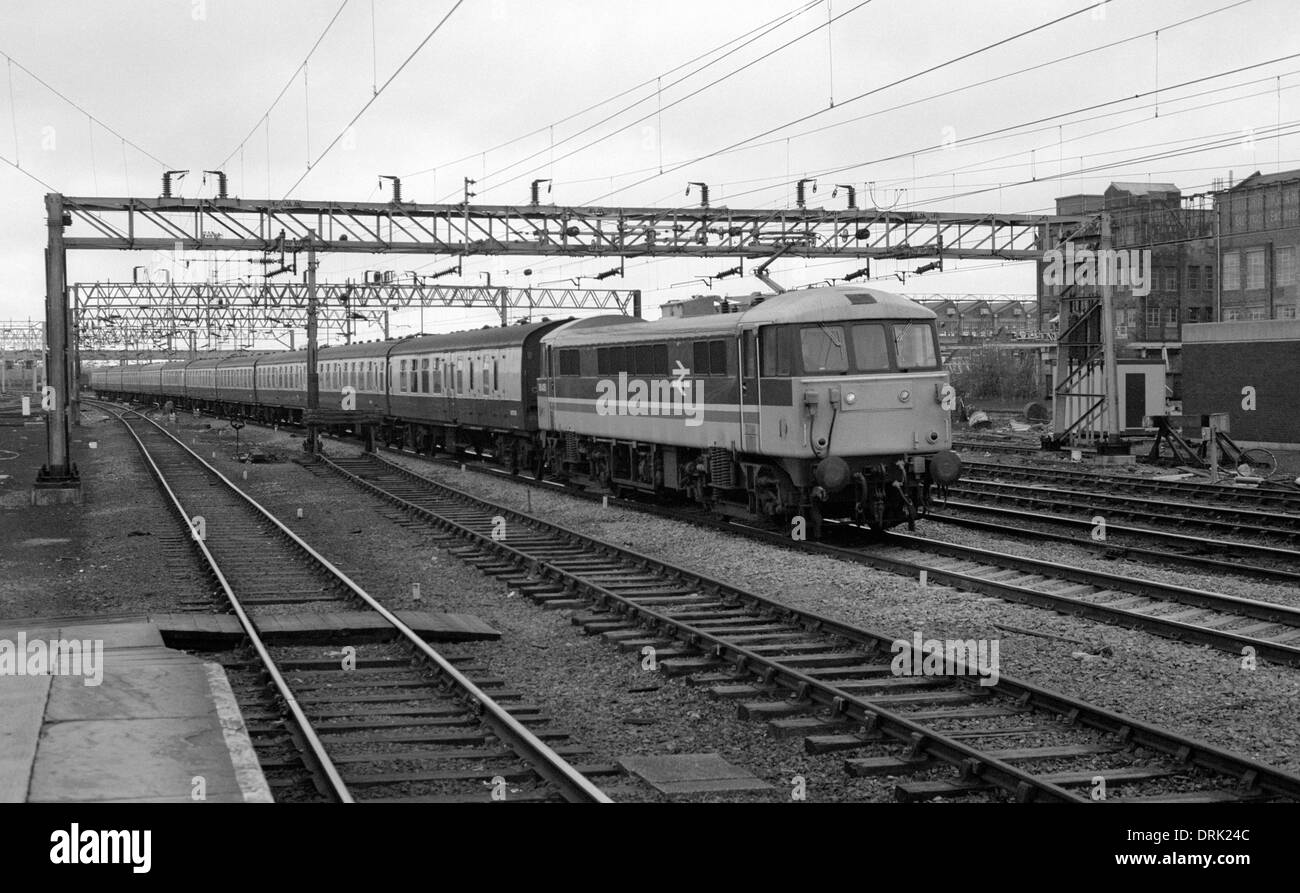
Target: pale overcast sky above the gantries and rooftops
point(187, 81)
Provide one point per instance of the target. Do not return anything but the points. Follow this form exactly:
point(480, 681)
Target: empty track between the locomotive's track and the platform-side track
point(831, 683)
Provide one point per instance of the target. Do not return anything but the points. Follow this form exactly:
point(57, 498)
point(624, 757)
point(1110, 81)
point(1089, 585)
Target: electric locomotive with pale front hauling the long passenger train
point(814, 404)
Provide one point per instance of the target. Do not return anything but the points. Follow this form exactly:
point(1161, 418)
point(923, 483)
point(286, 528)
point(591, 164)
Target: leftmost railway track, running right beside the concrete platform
point(400, 723)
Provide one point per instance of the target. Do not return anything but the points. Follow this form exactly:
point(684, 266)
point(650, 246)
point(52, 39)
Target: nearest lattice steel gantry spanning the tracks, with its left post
point(226, 224)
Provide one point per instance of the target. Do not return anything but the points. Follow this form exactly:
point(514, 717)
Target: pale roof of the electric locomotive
point(833, 305)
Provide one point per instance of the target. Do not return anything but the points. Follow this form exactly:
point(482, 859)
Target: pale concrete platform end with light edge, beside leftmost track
point(120, 719)
